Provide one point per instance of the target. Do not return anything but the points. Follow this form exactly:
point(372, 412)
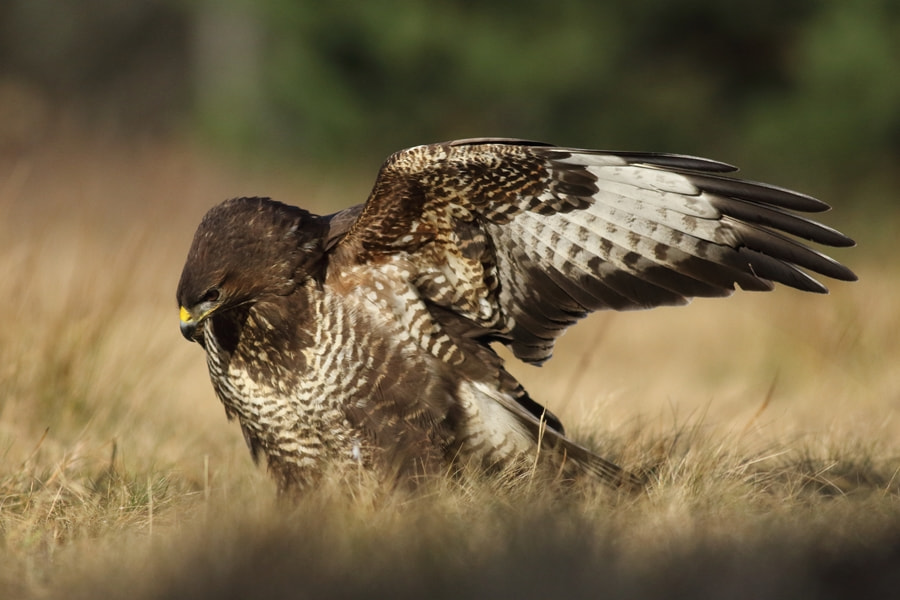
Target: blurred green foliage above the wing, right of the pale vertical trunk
point(754, 82)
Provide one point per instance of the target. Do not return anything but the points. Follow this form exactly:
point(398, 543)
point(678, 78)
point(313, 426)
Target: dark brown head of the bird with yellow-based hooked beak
point(244, 250)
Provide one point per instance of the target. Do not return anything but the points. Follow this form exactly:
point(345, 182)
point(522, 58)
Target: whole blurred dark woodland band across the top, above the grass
point(801, 91)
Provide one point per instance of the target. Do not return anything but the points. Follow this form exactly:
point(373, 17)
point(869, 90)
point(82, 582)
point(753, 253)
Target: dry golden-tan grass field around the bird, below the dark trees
point(769, 422)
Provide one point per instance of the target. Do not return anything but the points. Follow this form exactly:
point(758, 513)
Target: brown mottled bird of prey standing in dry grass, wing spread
point(364, 337)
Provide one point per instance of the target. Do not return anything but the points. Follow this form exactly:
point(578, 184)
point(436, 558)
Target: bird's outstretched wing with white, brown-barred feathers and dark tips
point(522, 238)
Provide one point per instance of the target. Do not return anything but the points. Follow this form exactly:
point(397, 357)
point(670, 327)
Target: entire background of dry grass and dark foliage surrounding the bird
point(774, 415)
